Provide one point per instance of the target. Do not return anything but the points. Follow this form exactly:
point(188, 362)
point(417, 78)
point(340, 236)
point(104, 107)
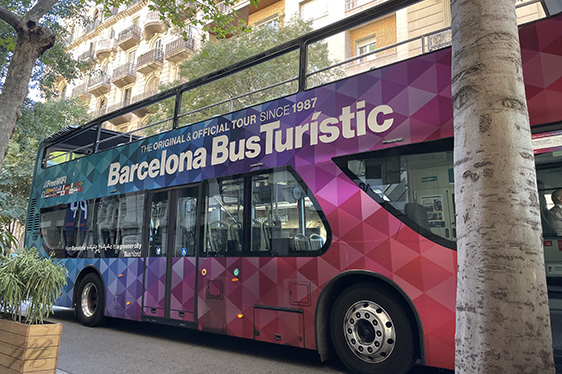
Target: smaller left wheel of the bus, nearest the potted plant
point(90, 301)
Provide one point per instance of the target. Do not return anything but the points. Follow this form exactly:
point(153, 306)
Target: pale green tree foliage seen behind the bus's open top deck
point(251, 86)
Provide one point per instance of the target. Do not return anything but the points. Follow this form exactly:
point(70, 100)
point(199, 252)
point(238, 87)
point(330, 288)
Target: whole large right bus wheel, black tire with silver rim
point(371, 332)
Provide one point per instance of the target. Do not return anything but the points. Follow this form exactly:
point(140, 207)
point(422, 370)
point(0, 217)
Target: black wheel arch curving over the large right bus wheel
point(346, 279)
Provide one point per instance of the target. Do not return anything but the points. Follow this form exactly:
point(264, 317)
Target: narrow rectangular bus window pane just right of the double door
point(224, 217)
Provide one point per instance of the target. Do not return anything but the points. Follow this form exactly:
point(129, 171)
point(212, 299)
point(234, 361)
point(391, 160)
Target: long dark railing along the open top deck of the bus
point(428, 42)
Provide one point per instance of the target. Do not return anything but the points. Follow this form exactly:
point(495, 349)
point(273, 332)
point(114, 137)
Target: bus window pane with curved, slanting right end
point(284, 218)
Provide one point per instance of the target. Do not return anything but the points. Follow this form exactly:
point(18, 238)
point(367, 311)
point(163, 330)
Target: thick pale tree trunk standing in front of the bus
point(503, 323)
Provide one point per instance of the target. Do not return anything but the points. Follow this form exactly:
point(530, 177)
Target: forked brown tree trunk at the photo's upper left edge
point(33, 40)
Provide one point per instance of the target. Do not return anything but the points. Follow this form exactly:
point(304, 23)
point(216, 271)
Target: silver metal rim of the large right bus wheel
point(369, 331)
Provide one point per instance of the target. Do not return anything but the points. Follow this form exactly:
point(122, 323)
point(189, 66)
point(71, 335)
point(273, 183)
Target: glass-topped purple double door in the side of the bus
point(170, 265)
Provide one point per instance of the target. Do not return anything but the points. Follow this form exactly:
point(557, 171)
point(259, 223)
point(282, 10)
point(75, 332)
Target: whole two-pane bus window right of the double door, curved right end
point(274, 211)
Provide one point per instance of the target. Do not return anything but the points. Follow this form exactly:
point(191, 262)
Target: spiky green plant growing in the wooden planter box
point(28, 278)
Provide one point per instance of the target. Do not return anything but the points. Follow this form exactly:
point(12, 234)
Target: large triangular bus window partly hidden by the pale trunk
point(417, 186)
